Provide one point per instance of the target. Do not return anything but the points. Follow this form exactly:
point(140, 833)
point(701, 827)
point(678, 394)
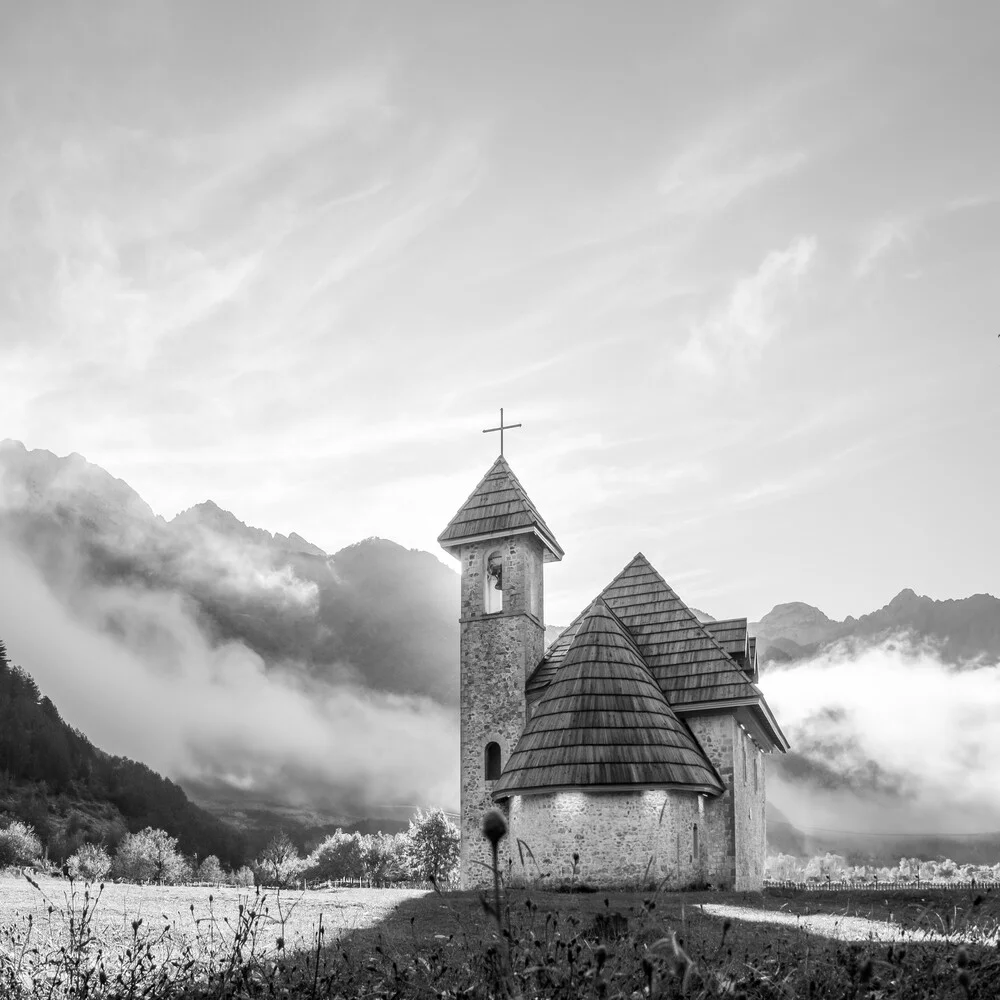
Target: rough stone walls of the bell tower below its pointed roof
point(498, 651)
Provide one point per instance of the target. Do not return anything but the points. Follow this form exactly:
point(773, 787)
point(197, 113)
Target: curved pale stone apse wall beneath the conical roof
point(620, 838)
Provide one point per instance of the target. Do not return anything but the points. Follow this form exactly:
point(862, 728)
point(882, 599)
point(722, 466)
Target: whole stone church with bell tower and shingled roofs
point(631, 751)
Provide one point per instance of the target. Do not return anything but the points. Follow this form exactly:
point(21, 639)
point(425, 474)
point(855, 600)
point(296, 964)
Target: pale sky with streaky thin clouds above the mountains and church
point(732, 266)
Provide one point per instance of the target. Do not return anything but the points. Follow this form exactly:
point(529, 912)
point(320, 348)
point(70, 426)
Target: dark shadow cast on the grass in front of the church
point(654, 944)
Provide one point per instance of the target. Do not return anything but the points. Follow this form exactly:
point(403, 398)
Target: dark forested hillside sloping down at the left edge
point(54, 778)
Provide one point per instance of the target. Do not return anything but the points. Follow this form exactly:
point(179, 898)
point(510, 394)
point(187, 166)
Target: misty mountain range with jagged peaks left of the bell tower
point(375, 611)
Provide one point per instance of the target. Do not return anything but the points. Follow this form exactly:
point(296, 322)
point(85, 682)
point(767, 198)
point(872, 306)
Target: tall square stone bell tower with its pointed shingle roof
point(502, 544)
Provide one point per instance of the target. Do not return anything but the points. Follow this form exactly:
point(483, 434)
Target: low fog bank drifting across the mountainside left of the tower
point(135, 672)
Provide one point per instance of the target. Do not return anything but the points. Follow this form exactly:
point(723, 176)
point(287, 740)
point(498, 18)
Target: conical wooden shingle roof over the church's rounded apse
point(603, 723)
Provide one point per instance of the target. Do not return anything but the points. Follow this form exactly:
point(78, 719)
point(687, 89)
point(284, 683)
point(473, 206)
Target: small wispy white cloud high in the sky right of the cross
point(741, 329)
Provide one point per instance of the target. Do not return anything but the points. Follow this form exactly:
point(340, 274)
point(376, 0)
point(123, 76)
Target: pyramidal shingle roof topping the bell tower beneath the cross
point(498, 506)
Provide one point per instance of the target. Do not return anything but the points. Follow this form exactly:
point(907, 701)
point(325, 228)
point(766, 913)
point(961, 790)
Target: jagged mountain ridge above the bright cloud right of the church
point(962, 631)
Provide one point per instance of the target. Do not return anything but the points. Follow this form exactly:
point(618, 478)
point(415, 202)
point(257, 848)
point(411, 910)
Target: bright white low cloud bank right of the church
point(887, 739)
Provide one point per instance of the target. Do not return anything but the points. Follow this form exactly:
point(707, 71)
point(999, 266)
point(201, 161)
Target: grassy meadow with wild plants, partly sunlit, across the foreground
point(60, 939)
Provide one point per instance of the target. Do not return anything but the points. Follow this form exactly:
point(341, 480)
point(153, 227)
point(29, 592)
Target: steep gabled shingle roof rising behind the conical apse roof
point(689, 665)
